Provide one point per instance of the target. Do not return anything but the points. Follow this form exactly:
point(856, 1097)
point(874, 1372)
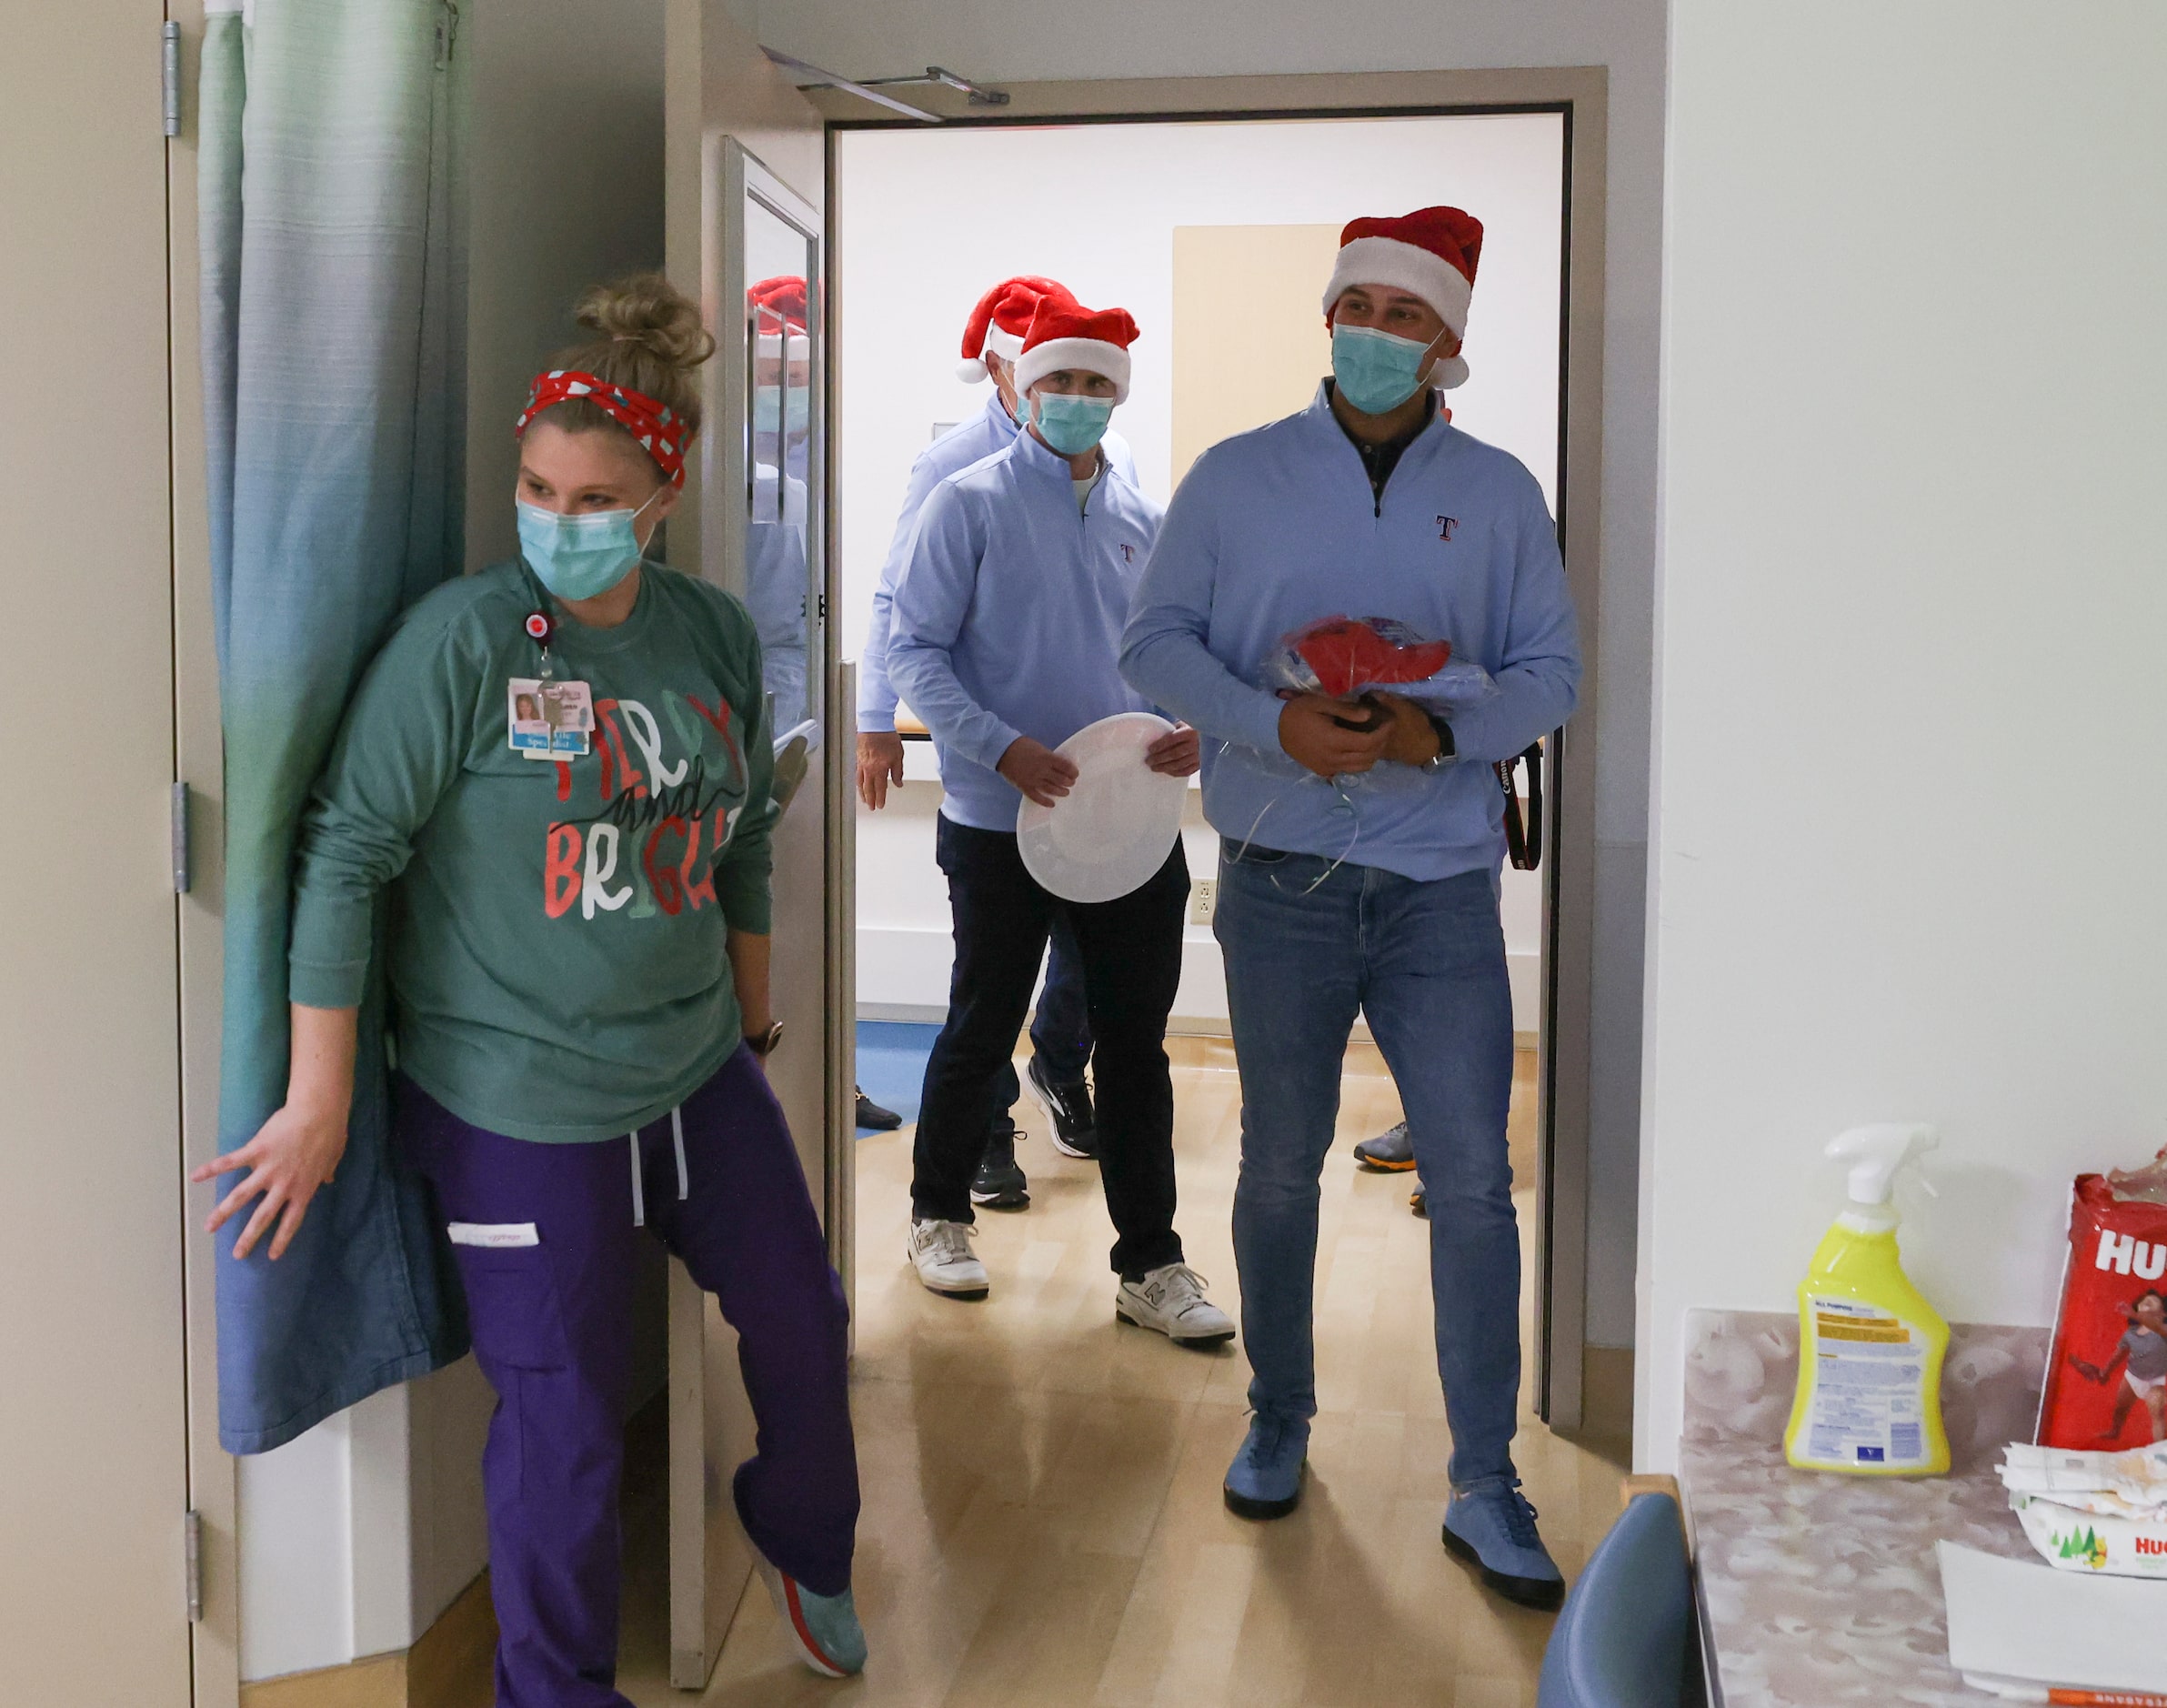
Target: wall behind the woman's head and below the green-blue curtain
point(363, 1531)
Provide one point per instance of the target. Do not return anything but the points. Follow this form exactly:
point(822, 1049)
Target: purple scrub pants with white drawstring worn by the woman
point(554, 1336)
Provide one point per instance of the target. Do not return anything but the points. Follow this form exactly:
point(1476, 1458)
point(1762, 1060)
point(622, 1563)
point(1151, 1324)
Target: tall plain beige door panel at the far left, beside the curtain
point(92, 1408)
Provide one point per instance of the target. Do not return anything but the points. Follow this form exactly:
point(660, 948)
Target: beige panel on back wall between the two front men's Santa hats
point(1249, 333)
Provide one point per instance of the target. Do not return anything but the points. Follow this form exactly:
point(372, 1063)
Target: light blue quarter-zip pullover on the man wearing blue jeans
point(1280, 528)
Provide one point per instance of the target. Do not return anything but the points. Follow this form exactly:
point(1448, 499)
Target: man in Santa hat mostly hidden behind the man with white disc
point(1061, 1031)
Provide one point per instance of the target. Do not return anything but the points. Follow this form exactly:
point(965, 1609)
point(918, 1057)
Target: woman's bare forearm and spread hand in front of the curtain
point(300, 1148)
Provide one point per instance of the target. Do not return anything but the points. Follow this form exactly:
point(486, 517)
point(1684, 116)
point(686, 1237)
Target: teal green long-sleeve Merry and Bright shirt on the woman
point(558, 929)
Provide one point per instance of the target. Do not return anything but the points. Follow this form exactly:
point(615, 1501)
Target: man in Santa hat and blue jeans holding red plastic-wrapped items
point(1360, 866)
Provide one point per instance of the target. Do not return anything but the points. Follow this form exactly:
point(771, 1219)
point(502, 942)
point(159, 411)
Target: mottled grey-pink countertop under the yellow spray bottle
point(1821, 1590)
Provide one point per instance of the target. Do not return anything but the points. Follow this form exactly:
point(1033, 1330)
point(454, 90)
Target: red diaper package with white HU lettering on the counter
point(2107, 1371)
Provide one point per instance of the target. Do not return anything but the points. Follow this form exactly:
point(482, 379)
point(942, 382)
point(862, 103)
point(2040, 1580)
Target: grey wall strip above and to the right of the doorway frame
point(1230, 38)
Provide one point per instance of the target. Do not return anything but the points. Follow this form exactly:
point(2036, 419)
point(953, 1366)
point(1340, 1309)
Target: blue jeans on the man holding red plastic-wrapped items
point(1425, 961)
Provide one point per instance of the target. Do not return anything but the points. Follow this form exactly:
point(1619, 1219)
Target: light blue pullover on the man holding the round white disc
point(1009, 617)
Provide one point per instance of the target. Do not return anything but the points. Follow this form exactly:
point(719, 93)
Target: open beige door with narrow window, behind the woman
point(744, 235)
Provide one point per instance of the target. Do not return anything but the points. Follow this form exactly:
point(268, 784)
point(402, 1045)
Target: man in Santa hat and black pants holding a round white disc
point(1007, 634)
